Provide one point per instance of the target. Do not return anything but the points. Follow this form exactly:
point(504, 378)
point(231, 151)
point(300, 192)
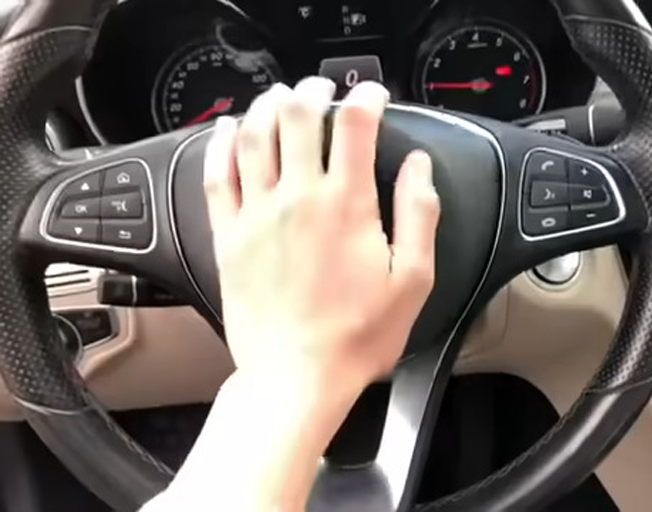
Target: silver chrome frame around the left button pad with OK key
point(43, 231)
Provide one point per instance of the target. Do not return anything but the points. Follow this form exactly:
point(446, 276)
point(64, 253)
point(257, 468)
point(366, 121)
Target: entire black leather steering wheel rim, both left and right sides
point(47, 45)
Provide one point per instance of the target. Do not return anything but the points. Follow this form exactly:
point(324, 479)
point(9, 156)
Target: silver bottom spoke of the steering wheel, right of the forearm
point(390, 482)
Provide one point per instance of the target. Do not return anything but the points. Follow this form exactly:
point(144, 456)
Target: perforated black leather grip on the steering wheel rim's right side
point(621, 52)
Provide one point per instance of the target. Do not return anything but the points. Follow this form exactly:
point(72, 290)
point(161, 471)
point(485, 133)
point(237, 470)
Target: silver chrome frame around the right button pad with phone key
point(622, 211)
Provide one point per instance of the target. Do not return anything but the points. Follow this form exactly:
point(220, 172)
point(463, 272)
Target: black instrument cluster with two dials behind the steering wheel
point(160, 65)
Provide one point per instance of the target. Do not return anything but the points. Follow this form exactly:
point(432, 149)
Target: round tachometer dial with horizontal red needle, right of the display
point(485, 70)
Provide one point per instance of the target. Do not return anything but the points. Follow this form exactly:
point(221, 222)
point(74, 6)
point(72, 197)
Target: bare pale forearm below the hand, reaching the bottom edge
point(261, 445)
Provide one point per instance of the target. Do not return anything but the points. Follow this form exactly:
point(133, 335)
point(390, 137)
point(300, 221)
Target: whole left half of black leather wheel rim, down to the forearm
point(40, 54)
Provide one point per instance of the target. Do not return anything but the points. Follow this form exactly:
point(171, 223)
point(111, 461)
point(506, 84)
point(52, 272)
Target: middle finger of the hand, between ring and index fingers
point(301, 130)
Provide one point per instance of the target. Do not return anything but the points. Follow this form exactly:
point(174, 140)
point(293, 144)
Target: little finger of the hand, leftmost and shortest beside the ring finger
point(220, 173)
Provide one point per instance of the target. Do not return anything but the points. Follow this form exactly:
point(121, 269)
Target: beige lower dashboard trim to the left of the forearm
point(167, 356)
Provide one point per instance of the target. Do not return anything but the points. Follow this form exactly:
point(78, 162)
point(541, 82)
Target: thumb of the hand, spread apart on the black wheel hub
point(416, 217)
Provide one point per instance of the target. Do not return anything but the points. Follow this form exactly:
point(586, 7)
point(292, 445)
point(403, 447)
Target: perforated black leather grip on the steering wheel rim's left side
point(30, 358)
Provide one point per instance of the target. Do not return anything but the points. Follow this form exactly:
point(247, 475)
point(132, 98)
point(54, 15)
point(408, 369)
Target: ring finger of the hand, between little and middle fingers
point(258, 159)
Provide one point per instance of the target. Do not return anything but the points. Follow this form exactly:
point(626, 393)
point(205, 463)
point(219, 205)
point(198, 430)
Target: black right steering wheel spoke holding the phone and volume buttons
point(561, 197)
